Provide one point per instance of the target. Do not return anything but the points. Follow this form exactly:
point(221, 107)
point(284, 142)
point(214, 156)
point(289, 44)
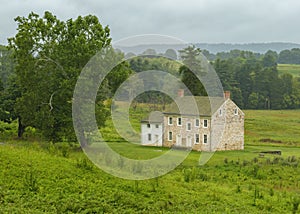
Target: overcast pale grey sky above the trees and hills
point(212, 21)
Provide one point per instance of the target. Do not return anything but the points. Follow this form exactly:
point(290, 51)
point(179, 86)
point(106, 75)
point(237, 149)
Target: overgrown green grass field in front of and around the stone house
point(45, 178)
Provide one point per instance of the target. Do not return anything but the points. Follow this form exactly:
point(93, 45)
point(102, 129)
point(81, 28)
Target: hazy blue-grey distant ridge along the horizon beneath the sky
point(215, 48)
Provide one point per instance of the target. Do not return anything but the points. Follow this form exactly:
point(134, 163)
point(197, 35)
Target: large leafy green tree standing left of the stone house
point(49, 56)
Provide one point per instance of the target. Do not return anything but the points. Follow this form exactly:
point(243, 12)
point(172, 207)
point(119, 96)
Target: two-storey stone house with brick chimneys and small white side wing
point(217, 124)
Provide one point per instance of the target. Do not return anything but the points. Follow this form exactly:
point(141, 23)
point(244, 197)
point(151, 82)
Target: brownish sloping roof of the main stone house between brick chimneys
point(188, 105)
